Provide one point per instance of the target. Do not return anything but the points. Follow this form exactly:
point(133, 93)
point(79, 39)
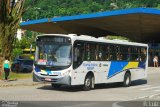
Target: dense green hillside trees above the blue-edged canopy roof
point(54, 8)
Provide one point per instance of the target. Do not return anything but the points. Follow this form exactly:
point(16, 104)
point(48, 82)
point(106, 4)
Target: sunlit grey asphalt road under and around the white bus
point(104, 95)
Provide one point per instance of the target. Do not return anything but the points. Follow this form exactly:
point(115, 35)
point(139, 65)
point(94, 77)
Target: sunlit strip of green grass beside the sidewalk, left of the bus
point(14, 75)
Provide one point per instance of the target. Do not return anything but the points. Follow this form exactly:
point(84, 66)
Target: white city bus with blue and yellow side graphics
point(85, 60)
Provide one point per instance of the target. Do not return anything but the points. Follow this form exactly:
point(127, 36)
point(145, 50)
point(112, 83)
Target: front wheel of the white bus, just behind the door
point(87, 83)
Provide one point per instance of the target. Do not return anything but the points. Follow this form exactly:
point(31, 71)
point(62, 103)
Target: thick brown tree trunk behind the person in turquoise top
point(11, 13)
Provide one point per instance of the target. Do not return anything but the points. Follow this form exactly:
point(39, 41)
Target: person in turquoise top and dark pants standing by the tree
point(6, 66)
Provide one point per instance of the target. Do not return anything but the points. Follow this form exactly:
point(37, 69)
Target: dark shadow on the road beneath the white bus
point(98, 86)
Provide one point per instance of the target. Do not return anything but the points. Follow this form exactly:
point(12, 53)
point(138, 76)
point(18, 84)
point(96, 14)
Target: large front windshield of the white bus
point(53, 55)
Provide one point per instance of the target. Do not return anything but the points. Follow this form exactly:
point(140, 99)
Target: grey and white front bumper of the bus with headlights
point(66, 80)
